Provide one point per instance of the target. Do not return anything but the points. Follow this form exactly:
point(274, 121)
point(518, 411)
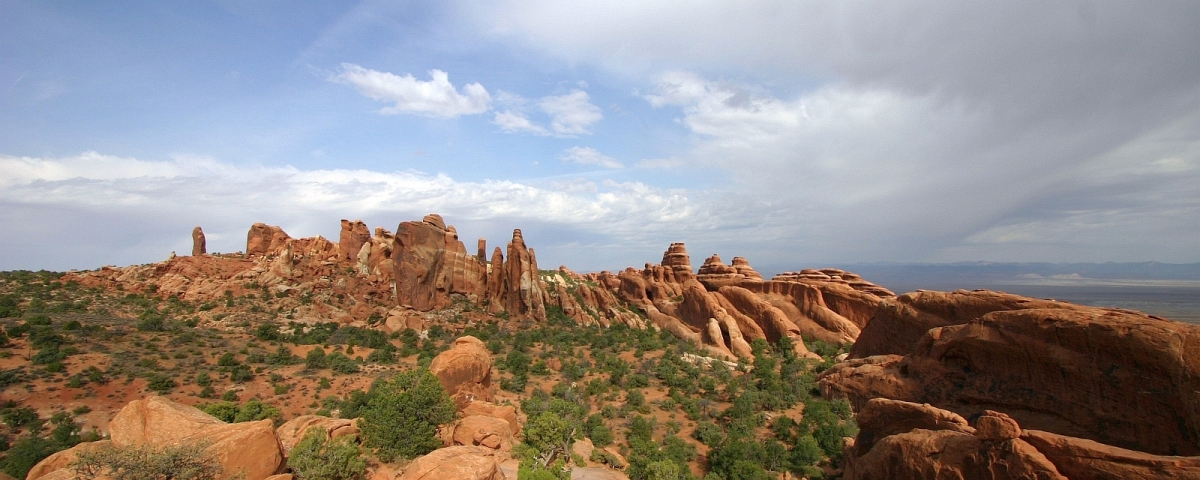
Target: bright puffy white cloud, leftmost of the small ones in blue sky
point(436, 98)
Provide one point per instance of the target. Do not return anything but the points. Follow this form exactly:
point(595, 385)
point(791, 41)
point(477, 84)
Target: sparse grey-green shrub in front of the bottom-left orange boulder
point(176, 463)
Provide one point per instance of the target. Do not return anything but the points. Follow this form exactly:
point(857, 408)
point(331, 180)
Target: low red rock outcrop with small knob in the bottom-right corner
point(901, 440)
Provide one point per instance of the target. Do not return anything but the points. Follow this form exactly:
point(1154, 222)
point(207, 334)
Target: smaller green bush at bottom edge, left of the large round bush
point(317, 458)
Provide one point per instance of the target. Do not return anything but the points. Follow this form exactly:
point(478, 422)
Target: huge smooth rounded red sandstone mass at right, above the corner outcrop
point(1119, 377)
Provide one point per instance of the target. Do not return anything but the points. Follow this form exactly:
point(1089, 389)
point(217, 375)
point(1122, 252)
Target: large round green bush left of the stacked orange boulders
point(403, 415)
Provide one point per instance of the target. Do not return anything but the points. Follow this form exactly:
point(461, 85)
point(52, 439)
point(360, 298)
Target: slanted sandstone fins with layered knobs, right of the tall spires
point(725, 308)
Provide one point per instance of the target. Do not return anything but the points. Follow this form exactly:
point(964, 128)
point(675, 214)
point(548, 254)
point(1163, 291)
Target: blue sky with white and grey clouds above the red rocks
point(795, 134)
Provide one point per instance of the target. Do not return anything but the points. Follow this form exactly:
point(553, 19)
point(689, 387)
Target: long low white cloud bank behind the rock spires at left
point(135, 212)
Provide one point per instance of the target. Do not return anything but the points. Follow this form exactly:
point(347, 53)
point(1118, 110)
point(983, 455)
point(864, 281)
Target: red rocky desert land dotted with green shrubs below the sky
point(662, 373)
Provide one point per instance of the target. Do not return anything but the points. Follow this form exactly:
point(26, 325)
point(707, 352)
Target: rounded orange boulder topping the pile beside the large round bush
point(465, 371)
